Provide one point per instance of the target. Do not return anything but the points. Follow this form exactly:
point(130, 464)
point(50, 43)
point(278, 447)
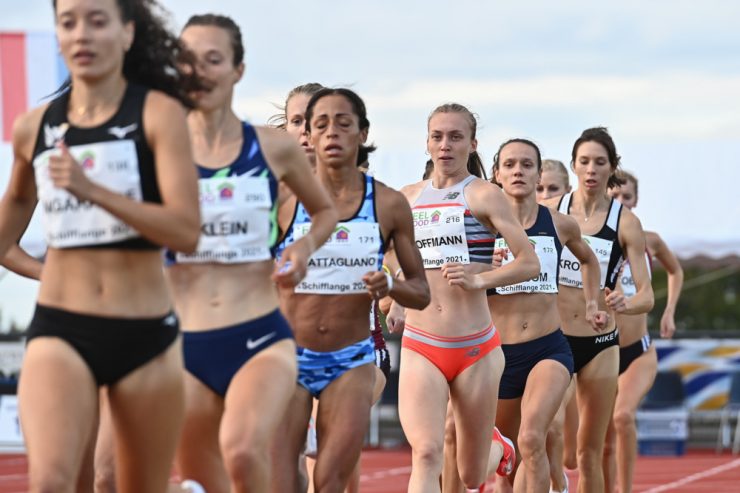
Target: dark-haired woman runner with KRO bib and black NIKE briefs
point(612, 233)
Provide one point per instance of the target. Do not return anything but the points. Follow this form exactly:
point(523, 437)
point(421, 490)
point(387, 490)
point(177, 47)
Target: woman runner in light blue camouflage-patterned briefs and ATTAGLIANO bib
point(329, 309)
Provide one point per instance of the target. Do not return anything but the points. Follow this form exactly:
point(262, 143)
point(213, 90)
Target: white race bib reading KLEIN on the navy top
point(235, 221)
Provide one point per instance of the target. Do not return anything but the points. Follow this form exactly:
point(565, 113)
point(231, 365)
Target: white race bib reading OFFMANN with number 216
point(440, 235)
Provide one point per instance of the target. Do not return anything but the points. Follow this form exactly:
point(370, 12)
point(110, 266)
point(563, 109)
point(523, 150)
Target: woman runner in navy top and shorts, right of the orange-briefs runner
point(539, 362)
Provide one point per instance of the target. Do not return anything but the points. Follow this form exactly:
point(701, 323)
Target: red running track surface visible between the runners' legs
point(388, 472)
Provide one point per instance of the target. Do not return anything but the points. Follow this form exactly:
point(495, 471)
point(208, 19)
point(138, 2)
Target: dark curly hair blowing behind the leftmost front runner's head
point(157, 59)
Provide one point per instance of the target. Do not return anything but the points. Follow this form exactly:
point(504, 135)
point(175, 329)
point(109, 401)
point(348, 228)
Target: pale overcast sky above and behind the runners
point(664, 76)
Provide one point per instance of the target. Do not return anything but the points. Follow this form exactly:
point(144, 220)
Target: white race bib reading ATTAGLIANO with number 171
point(339, 265)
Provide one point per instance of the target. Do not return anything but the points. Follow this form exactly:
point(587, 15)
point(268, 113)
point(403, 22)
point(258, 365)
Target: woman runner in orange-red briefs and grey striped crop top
point(450, 350)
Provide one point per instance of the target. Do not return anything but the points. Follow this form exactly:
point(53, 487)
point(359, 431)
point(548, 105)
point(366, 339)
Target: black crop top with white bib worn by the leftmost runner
point(116, 153)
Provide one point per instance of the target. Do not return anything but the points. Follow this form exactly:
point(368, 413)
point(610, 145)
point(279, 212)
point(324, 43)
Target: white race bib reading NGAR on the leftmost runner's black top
point(69, 222)
